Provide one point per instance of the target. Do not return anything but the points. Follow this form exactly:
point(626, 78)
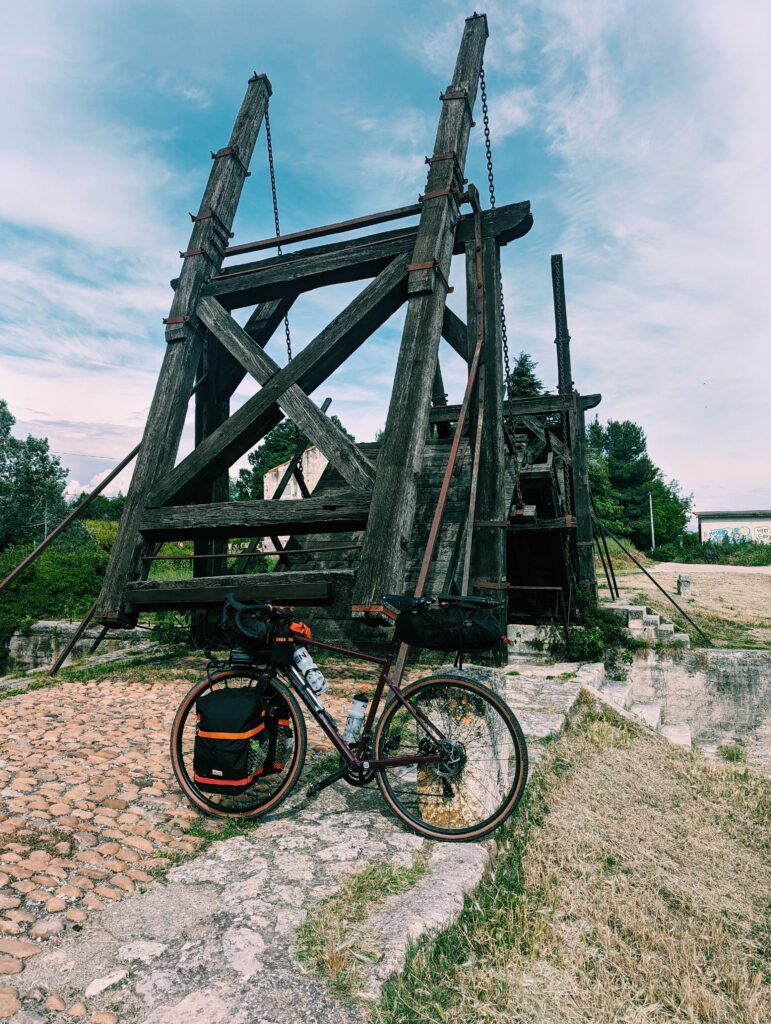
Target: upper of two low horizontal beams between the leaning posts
point(329, 514)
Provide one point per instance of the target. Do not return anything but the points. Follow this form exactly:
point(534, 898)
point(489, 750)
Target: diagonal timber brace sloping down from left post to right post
point(353, 465)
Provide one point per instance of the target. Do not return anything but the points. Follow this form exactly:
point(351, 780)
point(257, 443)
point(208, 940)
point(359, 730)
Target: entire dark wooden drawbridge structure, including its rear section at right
point(516, 518)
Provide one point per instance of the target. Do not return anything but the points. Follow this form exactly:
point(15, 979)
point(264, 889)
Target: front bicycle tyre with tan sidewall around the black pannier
point(241, 806)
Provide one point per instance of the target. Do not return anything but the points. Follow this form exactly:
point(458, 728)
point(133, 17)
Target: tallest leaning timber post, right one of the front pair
point(394, 500)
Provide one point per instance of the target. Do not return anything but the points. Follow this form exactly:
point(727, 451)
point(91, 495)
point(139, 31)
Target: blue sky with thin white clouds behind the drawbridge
point(639, 132)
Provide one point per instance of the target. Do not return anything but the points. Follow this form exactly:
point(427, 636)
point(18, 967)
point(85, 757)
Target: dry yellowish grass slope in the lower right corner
point(634, 886)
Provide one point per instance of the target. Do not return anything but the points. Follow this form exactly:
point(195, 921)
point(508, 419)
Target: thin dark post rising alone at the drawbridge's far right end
point(578, 470)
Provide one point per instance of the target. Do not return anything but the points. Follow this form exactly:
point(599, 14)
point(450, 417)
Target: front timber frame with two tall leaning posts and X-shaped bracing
point(208, 354)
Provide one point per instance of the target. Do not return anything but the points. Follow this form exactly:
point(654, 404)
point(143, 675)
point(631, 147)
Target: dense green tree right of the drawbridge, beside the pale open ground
point(623, 475)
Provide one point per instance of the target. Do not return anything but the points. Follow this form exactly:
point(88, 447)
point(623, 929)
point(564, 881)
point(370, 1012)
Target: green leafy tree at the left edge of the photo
point(32, 486)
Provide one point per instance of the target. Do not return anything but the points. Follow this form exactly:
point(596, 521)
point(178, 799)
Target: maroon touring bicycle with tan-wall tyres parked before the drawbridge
point(448, 753)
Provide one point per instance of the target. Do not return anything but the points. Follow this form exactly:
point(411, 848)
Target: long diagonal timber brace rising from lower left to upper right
point(309, 369)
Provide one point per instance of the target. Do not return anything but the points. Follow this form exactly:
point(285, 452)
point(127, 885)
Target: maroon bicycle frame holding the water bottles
point(356, 757)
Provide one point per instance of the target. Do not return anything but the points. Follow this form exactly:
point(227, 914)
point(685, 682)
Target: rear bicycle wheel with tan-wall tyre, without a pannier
point(418, 795)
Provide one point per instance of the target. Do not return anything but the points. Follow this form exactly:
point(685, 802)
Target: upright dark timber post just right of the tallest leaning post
point(489, 552)
